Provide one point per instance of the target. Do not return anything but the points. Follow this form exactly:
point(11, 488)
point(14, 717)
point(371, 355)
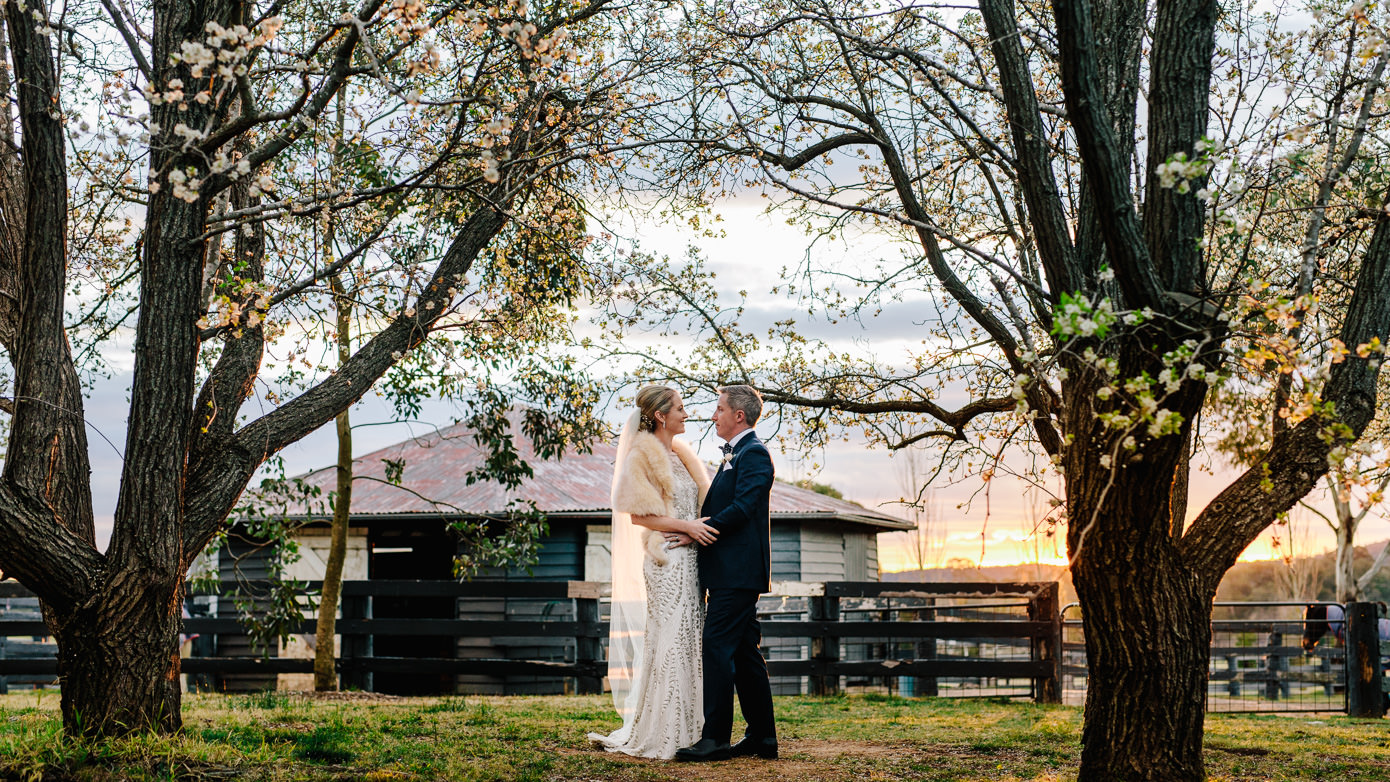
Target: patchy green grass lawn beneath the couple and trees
point(358, 737)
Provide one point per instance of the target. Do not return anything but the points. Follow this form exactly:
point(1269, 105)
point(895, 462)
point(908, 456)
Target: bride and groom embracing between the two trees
point(692, 556)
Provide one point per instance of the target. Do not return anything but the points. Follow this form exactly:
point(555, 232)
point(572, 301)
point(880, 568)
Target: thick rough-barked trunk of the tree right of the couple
point(1146, 613)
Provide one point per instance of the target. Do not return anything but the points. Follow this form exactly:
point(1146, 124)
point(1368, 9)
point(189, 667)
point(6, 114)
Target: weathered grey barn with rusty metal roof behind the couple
point(400, 530)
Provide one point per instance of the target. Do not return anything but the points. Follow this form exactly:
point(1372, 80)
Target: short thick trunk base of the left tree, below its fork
point(119, 660)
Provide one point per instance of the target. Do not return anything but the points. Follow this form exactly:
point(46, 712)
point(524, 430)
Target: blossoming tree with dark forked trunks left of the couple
point(166, 173)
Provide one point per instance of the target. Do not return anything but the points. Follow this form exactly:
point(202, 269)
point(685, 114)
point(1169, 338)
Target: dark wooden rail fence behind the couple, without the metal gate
point(824, 630)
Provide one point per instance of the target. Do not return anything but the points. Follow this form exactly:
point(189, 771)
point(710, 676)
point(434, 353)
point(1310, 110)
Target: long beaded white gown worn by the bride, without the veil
point(671, 708)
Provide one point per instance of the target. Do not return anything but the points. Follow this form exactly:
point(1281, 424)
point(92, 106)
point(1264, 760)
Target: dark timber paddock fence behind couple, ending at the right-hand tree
point(515, 637)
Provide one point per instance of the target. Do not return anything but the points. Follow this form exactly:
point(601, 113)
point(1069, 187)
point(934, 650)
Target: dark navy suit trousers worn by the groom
point(735, 663)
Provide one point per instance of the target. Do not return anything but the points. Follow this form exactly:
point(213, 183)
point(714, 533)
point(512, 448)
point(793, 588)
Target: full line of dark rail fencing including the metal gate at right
point(919, 635)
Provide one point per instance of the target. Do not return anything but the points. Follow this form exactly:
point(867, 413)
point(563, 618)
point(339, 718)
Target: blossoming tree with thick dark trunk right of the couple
point(1082, 281)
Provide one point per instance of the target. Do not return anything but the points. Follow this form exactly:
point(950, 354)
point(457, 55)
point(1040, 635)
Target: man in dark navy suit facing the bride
point(733, 573)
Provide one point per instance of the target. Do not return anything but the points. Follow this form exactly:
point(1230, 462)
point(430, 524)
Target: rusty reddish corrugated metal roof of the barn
point(436, 483)
